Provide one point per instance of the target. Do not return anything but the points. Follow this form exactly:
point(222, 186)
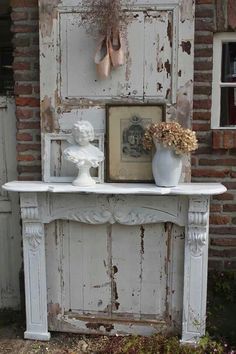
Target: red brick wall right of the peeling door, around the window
point(215, 159)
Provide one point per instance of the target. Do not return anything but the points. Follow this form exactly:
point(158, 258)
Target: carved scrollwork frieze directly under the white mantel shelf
point(102, 209)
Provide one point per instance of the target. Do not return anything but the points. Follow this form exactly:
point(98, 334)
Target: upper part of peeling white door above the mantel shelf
point(158, 67)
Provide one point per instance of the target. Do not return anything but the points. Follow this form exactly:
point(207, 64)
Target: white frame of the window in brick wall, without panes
point(217, 84)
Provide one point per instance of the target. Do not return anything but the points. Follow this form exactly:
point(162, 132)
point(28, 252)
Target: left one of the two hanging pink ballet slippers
point(102, 60)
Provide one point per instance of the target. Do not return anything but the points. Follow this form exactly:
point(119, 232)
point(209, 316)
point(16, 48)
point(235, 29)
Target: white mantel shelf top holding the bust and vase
point(117, 188)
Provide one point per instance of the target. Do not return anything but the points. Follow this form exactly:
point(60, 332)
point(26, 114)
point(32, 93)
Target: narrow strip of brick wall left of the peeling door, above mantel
point(26, 76)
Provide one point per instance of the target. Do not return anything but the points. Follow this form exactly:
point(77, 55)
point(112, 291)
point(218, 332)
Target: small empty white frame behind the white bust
point(56, 167)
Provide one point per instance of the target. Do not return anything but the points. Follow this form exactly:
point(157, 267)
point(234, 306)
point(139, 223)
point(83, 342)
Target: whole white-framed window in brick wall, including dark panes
point(224, 81)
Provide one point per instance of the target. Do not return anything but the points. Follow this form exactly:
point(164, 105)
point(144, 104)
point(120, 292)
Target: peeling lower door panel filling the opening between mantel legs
point(116, 274)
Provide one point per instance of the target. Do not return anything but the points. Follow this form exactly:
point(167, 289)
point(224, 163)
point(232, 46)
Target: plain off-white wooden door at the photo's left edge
point(10, 239)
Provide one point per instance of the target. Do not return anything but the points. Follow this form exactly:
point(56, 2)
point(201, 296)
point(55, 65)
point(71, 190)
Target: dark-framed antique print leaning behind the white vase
point(126, 159)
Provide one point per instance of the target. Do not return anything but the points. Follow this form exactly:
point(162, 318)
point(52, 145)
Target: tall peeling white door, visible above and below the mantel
point(82, 272)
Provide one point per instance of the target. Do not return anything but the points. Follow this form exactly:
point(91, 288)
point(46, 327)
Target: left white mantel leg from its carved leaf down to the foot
point(35, 281)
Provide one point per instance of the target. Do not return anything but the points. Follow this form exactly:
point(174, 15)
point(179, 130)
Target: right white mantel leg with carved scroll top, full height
point(195, 270)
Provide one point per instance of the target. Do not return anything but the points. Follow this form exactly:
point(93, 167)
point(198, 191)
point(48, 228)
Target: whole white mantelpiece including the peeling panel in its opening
point(115, 261)
